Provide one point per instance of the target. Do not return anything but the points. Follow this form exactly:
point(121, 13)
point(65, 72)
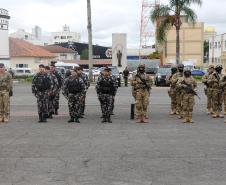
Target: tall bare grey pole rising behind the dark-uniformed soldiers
point(89, 27)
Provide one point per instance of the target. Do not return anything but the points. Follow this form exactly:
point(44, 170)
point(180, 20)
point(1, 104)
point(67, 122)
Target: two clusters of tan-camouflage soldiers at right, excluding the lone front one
point(183, 89)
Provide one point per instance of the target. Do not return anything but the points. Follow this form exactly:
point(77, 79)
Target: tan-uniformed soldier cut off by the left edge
point(5, 93)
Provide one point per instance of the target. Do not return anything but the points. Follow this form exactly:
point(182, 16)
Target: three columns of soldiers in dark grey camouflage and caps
point(47, 84)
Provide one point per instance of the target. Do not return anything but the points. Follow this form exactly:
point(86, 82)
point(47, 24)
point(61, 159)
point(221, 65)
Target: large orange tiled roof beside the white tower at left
point(21, 48)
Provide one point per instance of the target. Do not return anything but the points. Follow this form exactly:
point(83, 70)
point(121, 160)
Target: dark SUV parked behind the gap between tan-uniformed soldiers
point(161, 76)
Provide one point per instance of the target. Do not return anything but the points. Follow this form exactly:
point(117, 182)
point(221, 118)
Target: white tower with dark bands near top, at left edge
point(4, 37)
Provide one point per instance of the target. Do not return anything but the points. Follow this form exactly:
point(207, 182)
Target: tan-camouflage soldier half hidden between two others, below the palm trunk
point(179, 95)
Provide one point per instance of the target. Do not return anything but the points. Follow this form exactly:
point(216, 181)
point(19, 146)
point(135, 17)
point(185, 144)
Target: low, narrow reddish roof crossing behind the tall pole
point(86, 62)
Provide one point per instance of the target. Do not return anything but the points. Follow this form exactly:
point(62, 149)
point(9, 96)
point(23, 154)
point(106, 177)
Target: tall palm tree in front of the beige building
point(168, 16)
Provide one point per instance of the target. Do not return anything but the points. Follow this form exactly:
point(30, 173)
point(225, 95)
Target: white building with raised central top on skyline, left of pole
point(65, 36)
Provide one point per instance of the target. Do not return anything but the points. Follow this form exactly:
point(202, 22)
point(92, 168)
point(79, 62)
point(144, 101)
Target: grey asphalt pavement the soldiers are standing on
point(162, 152)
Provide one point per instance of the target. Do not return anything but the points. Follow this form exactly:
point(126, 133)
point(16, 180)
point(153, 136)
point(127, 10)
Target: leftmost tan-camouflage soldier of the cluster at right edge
point(208, 90)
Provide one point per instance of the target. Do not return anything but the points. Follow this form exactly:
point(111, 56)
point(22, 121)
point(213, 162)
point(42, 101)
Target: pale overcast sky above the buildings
point(108, 16)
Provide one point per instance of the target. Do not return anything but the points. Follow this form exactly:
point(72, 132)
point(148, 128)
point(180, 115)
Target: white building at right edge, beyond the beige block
point(217, 49)
